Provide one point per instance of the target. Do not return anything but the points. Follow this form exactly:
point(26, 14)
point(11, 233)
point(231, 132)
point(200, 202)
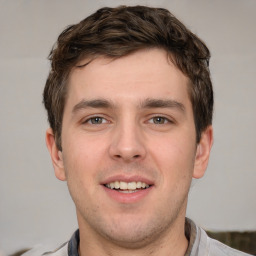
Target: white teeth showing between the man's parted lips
point(127, 187)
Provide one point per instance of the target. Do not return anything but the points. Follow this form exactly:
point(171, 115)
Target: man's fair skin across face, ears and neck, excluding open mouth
point(130, 118)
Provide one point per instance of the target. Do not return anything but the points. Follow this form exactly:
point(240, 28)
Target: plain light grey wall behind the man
point(34, 206)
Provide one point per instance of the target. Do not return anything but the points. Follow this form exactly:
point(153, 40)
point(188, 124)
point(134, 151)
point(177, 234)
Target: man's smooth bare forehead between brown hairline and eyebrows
point(145, 73)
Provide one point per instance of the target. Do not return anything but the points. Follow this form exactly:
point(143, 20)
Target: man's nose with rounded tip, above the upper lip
point(127, 143)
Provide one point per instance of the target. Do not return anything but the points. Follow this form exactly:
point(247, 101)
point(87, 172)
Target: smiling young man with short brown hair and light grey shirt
point(129, 101)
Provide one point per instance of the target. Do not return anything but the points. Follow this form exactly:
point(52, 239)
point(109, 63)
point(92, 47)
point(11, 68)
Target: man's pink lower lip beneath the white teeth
point(127, 197)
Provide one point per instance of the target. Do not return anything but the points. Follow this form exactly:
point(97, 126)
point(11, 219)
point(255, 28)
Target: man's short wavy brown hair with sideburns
point(117, 32)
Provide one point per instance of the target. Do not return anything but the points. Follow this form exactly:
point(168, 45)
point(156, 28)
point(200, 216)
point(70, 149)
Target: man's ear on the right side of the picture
point(203, 153)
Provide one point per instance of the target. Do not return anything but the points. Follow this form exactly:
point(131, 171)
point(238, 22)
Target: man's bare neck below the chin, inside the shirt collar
point(173, 242)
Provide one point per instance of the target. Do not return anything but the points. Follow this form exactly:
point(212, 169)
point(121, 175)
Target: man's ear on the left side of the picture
point(56, 155)
